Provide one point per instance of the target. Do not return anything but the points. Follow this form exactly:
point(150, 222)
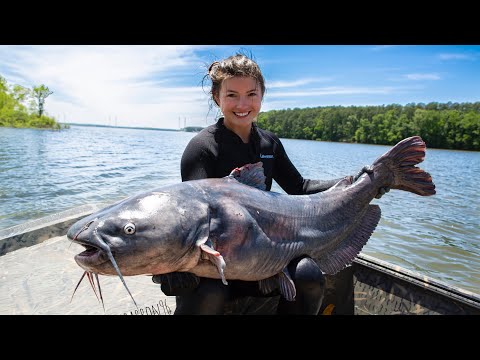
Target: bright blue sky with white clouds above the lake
point(162, 86)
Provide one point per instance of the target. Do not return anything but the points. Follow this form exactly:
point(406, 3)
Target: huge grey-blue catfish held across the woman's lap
point(231, 228)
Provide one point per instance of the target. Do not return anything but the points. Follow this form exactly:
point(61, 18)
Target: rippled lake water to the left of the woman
point(43, 172)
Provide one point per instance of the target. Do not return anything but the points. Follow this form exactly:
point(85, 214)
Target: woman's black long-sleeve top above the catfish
point(216, 151)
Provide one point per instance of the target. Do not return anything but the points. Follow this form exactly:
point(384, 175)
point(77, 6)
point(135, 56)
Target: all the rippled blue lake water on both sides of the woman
point(43, 172)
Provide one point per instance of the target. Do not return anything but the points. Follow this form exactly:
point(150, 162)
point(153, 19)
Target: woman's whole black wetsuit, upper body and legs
point(214, 153)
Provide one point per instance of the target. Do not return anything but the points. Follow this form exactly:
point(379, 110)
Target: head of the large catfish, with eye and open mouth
point(146, 234)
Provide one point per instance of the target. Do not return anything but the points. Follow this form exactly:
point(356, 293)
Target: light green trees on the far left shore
point(23, 107)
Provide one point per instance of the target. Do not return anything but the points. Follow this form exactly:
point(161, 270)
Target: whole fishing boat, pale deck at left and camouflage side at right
point(38, 276)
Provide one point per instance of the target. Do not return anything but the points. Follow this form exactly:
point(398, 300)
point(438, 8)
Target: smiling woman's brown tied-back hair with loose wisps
point(235, 65)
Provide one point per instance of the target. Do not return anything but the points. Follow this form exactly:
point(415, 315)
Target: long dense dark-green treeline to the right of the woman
point(441, 125)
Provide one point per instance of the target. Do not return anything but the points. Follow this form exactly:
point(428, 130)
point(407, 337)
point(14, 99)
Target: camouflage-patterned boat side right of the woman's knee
point(375, 287)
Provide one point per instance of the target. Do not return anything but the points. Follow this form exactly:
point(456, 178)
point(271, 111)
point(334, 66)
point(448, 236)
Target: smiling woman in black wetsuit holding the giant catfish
point(238, 87)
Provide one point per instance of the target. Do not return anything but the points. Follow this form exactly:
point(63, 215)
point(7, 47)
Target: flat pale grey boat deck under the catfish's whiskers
point(40, 279)
